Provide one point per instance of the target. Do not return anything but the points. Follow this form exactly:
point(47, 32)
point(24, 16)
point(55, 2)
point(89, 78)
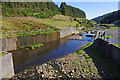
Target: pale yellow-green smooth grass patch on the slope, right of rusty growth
point(57, 22)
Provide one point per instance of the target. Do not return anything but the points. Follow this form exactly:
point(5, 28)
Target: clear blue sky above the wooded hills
point(94, 9)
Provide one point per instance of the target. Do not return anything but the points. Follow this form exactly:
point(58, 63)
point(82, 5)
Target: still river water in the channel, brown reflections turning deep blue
point(24, 58)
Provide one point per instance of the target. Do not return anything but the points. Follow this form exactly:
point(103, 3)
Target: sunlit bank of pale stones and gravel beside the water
point(71, 66)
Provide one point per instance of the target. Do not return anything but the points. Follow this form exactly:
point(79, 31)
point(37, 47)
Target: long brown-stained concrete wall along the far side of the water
point(12, 43)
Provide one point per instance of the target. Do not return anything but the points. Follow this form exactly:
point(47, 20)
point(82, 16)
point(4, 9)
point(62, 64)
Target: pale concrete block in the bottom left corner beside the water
point(7, 68)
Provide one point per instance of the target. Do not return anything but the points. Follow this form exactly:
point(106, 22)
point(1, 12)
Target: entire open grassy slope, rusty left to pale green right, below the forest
point(30, 23)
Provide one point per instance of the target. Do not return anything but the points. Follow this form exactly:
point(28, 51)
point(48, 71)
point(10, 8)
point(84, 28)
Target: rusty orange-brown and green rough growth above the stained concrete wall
point(24, 27)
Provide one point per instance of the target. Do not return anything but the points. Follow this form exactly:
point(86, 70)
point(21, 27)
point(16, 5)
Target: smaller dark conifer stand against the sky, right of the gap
point(71, 11)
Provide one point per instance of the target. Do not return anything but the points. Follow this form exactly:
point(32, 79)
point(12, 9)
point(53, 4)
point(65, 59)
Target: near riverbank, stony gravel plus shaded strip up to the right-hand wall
point(86, 63)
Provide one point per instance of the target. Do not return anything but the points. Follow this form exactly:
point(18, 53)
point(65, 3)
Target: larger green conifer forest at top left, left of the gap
point(29, 8)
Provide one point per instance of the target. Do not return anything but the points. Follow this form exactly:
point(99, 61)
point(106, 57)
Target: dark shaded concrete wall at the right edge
point(111, 51)
